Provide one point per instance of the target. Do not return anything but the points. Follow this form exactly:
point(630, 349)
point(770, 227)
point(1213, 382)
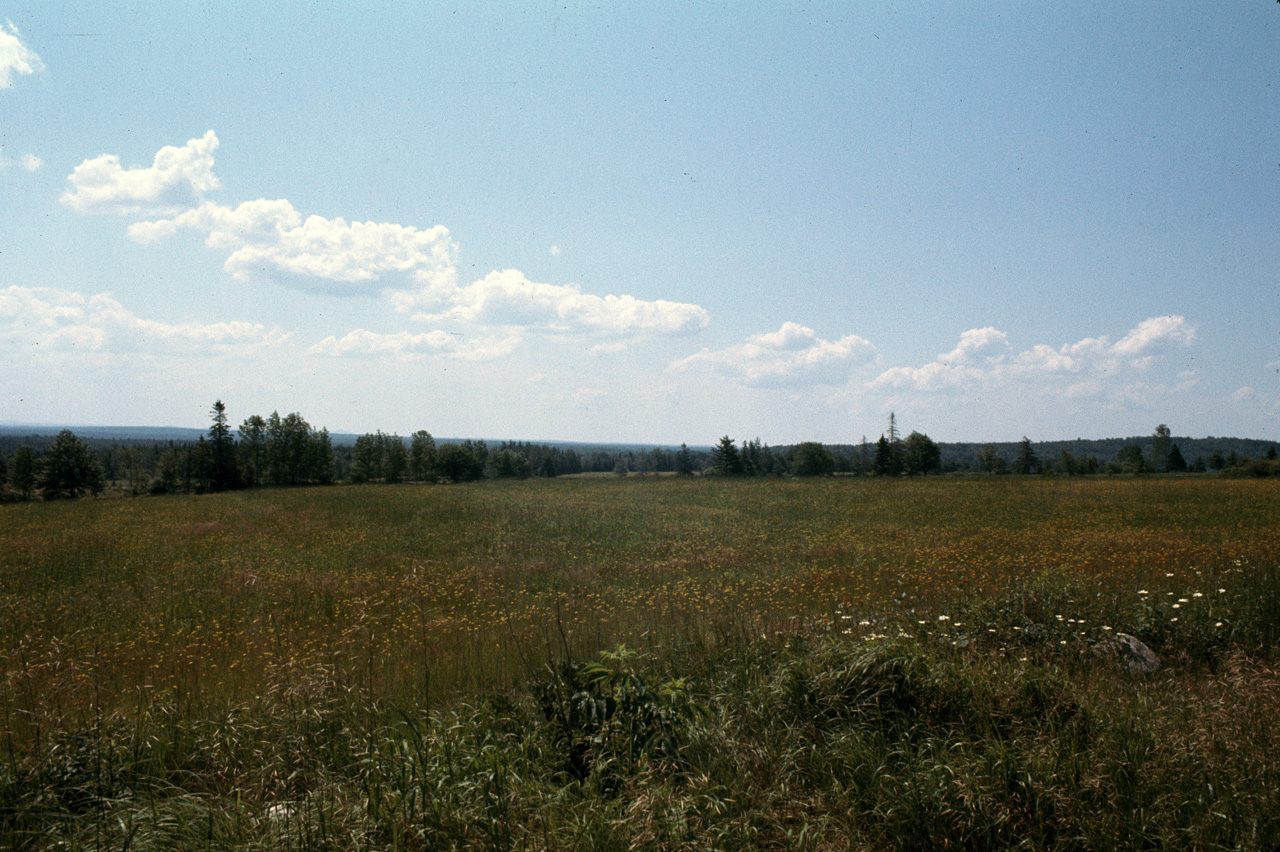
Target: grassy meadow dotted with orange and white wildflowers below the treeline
point(644, 663)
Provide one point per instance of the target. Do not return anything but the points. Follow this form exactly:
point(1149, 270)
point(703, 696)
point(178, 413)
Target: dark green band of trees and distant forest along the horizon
point(287, 451)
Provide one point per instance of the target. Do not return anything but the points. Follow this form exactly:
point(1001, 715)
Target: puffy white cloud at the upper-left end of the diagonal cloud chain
point(176, 180)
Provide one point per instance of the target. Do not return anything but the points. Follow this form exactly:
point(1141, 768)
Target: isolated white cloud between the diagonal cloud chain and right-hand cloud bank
point(793, 356)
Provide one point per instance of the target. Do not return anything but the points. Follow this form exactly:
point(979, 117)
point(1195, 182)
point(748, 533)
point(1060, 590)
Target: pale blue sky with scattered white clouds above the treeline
point(647, 222)
